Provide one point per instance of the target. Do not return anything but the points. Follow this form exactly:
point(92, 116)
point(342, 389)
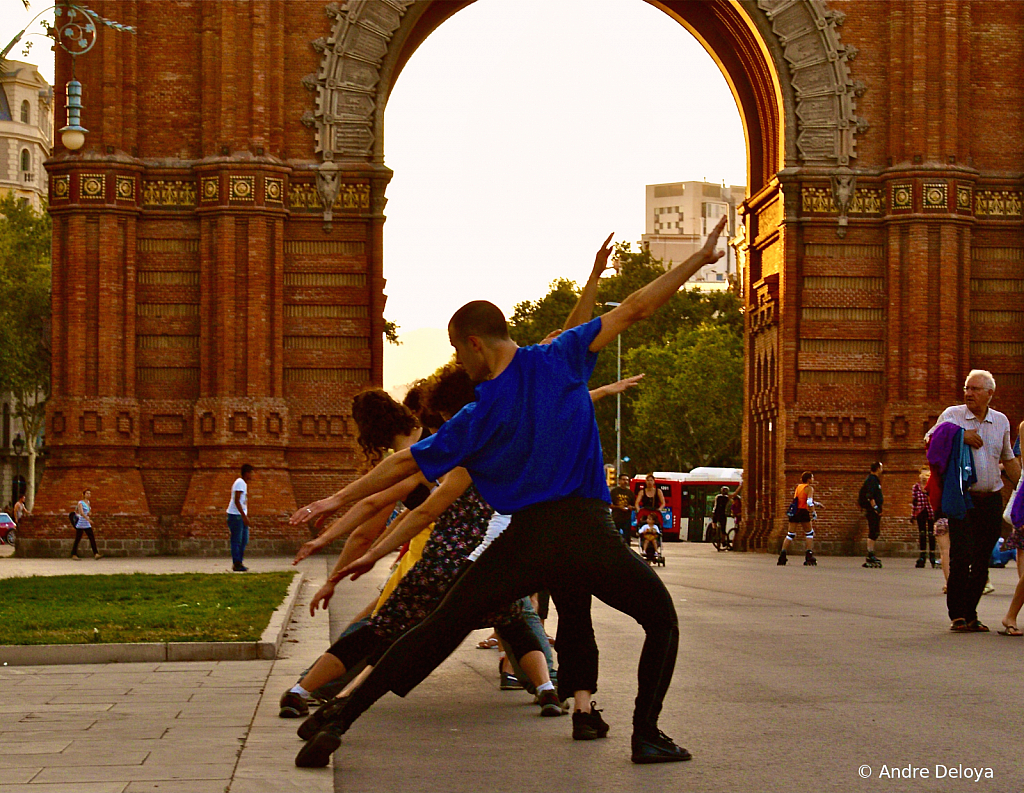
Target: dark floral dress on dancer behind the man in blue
point(457, 532)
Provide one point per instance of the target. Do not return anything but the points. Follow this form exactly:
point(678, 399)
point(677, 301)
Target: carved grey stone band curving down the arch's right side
point(827, 122)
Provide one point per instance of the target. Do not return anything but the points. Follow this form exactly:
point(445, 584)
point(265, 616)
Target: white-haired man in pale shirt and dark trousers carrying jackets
point(972, 539)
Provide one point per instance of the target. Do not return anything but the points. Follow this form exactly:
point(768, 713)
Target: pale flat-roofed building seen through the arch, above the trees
point(678, 217)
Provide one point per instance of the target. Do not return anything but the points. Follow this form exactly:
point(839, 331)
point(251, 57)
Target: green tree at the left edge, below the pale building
point(25, 315)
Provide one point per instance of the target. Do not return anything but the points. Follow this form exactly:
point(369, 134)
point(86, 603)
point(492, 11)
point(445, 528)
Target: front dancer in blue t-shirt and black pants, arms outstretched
point(531, 444)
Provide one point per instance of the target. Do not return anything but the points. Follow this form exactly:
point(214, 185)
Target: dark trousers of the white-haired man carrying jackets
point(971, 542)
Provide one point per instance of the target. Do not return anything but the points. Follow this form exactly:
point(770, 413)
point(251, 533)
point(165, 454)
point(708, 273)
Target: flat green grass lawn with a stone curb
point(187, 607)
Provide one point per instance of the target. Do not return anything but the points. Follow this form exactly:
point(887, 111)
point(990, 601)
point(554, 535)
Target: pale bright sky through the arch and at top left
point(521, 134)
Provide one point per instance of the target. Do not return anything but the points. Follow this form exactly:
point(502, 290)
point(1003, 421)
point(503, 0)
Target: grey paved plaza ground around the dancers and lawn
point(788, 680)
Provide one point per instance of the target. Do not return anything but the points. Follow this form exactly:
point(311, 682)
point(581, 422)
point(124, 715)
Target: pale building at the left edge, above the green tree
point(26, 131)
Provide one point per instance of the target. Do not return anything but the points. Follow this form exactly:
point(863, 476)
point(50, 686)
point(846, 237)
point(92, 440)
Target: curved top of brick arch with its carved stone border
point(783, 60)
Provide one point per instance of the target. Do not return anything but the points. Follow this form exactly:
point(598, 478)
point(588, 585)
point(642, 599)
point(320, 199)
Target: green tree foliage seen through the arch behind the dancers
point(688, 411)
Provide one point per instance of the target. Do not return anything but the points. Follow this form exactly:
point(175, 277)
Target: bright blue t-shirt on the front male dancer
point(531, 436)
